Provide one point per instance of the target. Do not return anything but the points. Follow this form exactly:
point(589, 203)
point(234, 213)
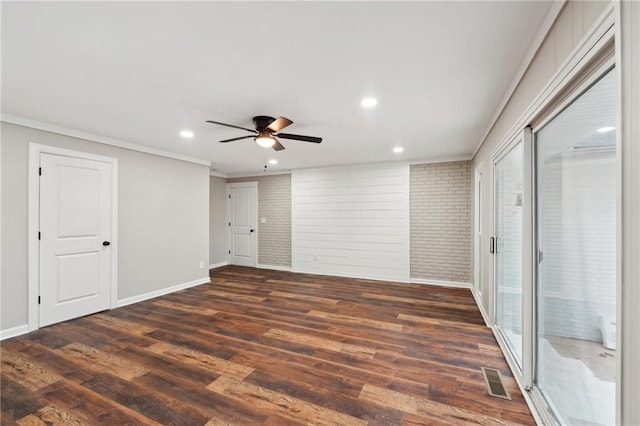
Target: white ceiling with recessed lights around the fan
point(141, 72)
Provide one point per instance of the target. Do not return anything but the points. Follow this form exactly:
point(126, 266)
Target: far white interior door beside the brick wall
point(242, 223)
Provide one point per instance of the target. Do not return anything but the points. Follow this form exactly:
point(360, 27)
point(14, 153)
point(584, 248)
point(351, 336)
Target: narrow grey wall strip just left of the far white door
point(217, 220)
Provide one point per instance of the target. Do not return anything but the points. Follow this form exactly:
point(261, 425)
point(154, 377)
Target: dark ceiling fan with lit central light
point(267, 131)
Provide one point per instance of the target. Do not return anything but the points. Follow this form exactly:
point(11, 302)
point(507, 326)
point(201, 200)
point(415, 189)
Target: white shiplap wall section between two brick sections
point(352, 221)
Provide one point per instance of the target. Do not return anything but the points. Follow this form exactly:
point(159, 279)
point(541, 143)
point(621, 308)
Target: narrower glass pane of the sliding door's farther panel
point(508, 175)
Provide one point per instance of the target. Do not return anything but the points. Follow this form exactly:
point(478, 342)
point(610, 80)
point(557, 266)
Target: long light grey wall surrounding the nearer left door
point(163, 219)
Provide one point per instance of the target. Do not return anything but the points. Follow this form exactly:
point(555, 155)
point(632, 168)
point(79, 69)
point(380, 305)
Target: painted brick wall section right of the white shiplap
point(441, 221)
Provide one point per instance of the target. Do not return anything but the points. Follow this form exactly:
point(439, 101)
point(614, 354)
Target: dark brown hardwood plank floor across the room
point(265, 347)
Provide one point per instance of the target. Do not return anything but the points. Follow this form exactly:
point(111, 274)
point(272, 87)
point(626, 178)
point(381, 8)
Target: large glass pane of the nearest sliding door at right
point(576, 275)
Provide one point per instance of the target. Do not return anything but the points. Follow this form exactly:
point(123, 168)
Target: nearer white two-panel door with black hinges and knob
point(75, 235)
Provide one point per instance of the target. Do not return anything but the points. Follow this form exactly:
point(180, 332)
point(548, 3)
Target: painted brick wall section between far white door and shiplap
point(274, 204)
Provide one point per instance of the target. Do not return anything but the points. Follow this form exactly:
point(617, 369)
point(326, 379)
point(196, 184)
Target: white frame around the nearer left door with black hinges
point(33, 220)
